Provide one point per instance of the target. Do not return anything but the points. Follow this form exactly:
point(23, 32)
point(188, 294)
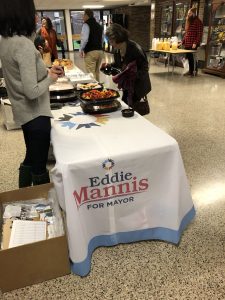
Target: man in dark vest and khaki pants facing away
point(91, 43)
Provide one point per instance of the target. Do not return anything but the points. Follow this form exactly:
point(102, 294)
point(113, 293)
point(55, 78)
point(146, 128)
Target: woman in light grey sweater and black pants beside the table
point(27, 82)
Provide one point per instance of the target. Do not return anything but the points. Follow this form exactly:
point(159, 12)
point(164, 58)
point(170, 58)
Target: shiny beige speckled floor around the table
point(192, 110)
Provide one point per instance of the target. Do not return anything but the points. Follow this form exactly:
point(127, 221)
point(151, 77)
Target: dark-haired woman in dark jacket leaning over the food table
point(132, 60)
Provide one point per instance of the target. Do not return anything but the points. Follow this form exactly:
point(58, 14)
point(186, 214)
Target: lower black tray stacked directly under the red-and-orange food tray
point(101, 108)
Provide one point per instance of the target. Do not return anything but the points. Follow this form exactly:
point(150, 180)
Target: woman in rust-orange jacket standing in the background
point(49, 34)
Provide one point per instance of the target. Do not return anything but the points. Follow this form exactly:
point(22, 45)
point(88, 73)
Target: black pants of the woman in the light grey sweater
point(37, 139)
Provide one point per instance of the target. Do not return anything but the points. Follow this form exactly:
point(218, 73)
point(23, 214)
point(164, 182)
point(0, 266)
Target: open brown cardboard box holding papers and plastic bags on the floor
point(36, 262)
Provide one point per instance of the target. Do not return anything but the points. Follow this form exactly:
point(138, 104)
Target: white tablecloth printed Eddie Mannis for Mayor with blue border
point(119, 180)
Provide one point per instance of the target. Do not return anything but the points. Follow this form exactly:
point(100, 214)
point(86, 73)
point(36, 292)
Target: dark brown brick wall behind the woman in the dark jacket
point(138, 20)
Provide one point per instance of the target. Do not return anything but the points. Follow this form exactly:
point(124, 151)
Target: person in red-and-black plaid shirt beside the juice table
point(192, 37)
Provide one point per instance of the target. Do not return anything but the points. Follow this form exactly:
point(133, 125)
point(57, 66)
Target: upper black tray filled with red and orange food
point(96, 101)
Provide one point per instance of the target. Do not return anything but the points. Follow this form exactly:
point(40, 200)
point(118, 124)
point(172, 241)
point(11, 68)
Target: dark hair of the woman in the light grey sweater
point(17, 17)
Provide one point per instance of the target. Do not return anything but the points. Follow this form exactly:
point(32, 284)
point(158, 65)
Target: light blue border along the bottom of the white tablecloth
point(158, 233)
